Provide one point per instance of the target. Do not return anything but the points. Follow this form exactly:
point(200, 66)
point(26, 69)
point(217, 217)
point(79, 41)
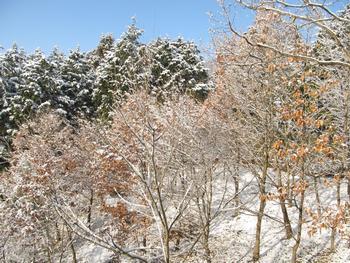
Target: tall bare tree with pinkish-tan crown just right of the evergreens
point(256, 97)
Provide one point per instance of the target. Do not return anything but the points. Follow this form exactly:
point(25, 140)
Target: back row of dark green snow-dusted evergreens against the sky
point(89, 84)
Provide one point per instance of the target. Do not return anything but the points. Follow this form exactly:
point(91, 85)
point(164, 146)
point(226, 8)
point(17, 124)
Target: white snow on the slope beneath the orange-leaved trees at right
point(233, 237)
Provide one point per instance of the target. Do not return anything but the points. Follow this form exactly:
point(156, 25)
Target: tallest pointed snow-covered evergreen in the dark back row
point(120, 71)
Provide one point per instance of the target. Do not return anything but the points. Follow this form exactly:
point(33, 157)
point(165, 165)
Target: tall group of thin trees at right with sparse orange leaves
point(288, 97)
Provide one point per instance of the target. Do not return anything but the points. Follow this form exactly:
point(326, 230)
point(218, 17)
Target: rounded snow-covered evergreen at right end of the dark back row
point(177, 67)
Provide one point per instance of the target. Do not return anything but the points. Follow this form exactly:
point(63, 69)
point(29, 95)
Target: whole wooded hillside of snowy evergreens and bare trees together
point(168, 171)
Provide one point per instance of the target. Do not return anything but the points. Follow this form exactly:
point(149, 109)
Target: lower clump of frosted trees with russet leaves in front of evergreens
point(142, 188)
